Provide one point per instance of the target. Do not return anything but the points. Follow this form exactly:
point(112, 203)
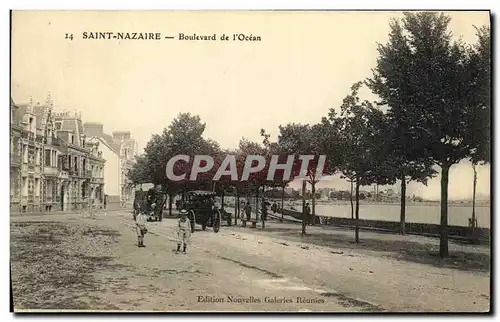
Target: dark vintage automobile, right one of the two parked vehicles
point(203, 211)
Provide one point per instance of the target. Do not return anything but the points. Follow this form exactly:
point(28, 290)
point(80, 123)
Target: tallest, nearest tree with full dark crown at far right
point(430, 83)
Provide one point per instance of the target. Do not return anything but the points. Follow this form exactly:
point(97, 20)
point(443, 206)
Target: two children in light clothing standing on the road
point(182, 230)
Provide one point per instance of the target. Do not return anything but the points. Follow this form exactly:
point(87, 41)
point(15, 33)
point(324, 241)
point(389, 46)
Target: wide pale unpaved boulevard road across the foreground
point(243, 269)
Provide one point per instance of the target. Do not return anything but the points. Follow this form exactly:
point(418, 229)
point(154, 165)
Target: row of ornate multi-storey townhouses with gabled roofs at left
point(51, 166)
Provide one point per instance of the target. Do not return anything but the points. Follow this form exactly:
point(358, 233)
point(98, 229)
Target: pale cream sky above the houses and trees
point(304, 65)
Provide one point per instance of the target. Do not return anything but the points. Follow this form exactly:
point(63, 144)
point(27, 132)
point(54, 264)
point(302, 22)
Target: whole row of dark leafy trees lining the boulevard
point(433, 111)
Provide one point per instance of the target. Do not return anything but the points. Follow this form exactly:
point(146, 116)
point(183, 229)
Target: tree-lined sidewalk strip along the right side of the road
point(411, 248)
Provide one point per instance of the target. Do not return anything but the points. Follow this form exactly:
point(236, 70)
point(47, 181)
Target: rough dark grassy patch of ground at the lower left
point(52, 264)
